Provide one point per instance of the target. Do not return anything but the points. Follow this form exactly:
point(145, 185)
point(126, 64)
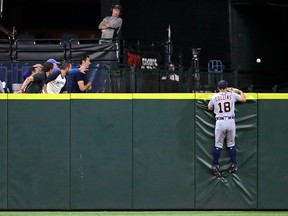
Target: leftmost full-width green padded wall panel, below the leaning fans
point(38, 151)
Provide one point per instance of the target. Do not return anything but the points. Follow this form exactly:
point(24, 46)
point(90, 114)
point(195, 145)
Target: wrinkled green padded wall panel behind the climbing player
point(236, 191)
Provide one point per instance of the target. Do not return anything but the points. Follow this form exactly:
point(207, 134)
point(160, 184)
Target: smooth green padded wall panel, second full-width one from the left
point(101, 152)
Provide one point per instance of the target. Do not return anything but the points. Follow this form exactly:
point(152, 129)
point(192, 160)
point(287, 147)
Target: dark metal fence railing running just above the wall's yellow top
point(129, 79)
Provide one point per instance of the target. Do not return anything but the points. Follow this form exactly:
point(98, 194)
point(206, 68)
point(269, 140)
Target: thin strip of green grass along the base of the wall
point(144, 213)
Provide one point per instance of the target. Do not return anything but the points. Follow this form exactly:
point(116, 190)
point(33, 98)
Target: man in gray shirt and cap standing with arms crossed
point(111, 25)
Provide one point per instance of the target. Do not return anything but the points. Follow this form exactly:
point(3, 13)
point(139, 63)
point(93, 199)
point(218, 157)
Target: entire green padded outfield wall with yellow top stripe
point(138, 152)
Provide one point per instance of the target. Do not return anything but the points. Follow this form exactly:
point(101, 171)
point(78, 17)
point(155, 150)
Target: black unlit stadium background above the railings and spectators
point(234, 31)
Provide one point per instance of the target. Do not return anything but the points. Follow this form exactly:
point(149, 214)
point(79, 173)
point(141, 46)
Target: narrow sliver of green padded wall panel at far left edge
point(3, 151)
